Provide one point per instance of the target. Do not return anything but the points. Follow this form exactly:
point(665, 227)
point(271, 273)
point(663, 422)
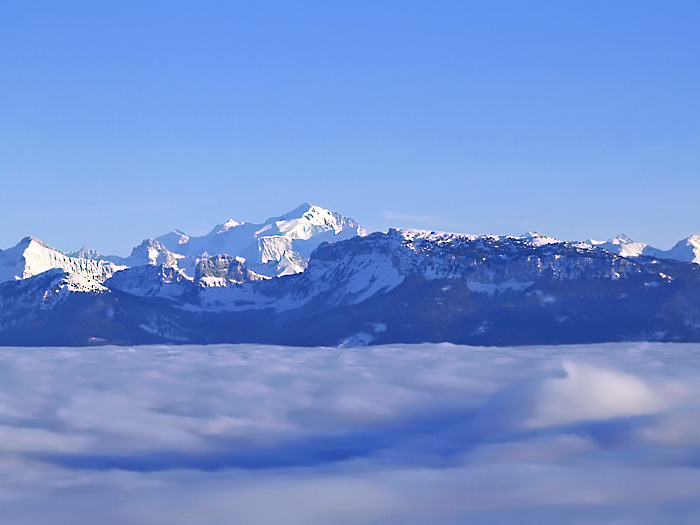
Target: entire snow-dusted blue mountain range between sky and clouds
point(314, 277)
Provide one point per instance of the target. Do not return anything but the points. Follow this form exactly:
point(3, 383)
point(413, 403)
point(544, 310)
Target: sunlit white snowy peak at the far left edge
point(31, 257)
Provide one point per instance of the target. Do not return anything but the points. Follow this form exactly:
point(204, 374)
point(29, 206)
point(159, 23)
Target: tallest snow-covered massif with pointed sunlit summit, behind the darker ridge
point(279, 246)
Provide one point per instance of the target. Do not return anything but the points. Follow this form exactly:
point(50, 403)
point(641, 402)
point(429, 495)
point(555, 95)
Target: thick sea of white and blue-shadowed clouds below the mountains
point(403, 434)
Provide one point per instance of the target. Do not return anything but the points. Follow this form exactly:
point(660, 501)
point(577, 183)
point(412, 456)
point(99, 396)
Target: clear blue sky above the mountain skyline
point(124, 120)
